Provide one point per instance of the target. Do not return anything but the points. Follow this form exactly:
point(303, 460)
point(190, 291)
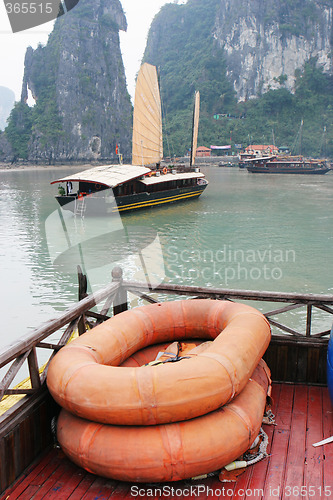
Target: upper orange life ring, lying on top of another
point(86, 379)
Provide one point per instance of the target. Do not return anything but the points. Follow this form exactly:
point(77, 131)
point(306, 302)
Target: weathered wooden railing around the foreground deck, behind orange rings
point(115, 295)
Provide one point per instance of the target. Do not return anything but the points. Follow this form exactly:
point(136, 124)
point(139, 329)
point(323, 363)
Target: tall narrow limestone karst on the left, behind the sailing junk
point(78, 82)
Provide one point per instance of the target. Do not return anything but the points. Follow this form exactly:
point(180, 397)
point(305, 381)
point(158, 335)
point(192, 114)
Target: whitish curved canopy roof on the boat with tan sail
point(108, 175)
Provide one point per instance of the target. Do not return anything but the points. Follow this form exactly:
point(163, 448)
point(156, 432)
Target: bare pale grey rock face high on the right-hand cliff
point(267, 41)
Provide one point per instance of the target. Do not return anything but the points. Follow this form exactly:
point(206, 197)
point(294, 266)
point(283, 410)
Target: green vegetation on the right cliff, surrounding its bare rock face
point(182, 45)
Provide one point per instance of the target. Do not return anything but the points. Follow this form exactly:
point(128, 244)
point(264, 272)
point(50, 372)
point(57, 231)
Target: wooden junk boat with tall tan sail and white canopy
point(147, 182)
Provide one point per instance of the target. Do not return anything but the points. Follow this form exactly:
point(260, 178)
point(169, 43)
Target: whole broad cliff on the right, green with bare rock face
point(260, 65)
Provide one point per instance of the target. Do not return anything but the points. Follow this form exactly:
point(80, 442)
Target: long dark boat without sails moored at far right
point(288, 165)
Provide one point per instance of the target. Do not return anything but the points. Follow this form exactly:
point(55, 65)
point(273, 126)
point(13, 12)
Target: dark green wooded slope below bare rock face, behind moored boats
point(277, 115)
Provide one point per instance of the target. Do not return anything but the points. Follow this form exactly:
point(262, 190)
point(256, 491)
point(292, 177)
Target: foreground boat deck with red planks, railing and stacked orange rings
point(33, 466)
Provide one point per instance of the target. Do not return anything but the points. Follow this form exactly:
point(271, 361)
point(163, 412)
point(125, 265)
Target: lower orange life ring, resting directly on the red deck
point(169, 452)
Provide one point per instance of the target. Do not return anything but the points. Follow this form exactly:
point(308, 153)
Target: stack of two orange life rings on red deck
point(164, 421)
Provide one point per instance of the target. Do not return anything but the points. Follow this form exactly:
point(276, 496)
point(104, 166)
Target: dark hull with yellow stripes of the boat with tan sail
point(136, 201)
